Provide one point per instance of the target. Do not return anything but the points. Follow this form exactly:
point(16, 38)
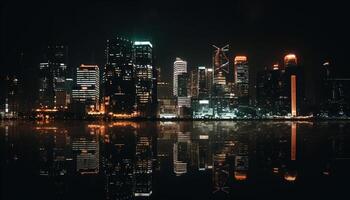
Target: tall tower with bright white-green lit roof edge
point(145, 78)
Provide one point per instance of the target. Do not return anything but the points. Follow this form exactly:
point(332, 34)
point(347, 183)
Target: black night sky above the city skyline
point(262, 30)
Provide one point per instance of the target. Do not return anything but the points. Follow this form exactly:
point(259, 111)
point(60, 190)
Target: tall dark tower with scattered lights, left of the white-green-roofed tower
point(118, 77)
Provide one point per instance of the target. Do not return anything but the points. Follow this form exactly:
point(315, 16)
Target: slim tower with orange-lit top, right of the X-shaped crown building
point(241, 76)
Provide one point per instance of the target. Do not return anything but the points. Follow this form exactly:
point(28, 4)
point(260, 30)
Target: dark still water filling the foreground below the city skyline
point(175, 160)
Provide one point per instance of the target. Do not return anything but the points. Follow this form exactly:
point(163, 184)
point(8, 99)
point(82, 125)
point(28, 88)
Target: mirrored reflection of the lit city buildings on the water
point(128, 158)
